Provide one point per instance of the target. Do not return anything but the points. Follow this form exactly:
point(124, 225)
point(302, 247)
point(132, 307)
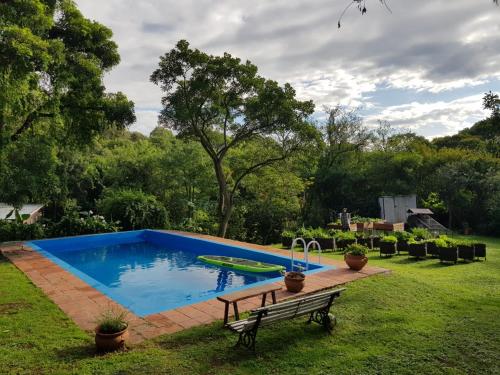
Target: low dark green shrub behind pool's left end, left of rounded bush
point(73, 225)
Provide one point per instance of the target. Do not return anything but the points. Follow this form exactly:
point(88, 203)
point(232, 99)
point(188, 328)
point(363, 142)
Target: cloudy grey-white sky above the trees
point(424, 67)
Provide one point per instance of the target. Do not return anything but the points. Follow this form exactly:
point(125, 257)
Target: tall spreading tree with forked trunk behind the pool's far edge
point(225, 105)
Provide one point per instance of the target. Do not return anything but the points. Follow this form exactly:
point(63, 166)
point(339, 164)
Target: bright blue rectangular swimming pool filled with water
point(151, 271)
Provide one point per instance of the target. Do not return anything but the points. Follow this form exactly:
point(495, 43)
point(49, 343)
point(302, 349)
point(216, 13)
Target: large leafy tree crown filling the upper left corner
point(52, 61)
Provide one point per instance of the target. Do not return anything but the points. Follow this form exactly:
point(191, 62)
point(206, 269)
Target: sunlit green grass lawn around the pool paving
point(424, 318)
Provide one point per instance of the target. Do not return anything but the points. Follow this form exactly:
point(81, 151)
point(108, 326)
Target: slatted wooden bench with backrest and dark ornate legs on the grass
point(317, 306)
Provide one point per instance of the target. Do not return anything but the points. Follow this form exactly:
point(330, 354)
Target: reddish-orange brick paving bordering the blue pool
point(83, 304)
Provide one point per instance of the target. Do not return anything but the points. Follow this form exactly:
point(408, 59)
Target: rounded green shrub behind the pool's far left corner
point(133, 209)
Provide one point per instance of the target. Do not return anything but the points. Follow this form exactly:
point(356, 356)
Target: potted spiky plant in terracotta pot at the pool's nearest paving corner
point(111, 332)
